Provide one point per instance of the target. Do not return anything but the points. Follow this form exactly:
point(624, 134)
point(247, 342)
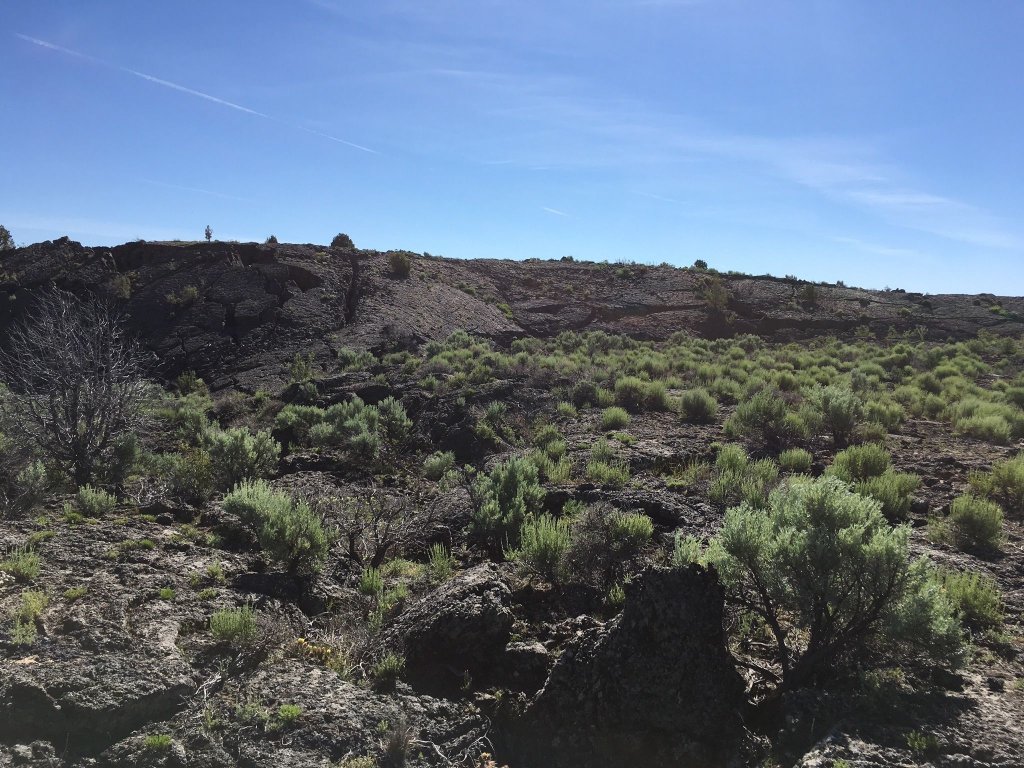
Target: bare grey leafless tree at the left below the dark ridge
point(76, 382)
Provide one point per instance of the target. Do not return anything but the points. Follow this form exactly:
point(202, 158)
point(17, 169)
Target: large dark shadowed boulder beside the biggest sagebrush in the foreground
point(655, 687)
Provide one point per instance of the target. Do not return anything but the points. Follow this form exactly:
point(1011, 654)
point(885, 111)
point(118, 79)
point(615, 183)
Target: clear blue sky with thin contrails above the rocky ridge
point(873, 142)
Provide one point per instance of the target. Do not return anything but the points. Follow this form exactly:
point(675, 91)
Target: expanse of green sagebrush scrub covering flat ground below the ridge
point(797, 470)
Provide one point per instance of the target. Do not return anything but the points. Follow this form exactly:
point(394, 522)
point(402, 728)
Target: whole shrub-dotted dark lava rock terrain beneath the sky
point(472, 517)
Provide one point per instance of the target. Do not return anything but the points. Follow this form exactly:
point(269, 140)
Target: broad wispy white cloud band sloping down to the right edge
point(594, 135)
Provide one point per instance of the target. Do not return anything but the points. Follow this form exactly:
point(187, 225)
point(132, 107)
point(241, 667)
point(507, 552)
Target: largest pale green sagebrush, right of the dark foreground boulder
point(827, 561)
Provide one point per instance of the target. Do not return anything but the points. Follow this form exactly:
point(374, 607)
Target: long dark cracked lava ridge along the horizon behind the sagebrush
point(235, 313)
